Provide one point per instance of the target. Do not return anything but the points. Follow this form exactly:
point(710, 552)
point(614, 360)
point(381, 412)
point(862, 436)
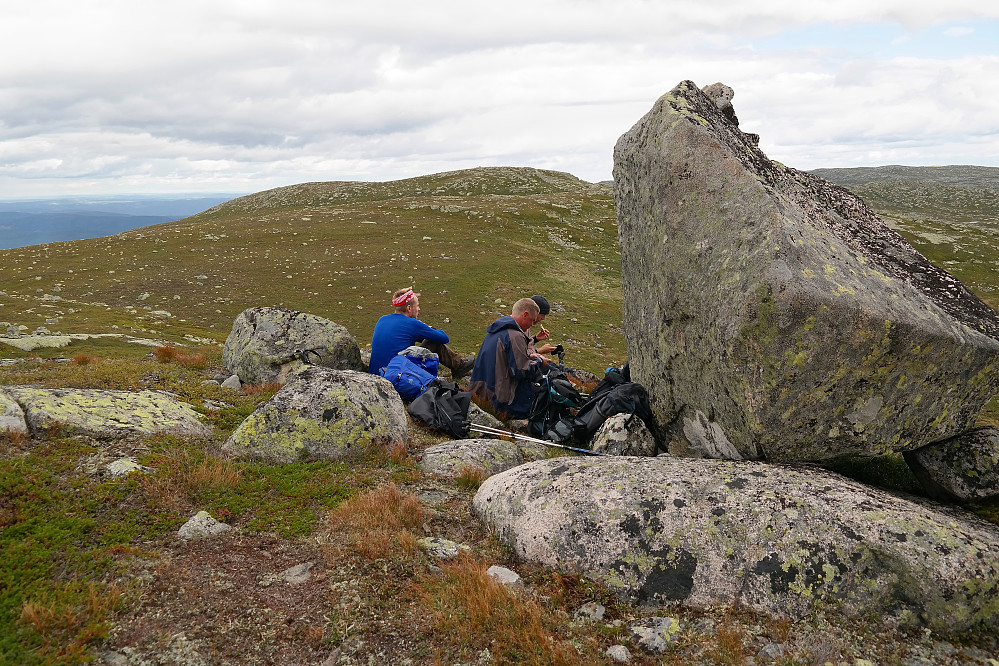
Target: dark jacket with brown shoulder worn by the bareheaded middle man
point(503, 369)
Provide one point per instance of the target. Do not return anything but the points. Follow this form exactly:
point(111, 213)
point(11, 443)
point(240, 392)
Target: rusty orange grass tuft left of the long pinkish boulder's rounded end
point(380, 522)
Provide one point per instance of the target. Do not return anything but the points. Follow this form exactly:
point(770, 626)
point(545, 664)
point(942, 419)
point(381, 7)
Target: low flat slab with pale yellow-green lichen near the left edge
point(106, 414)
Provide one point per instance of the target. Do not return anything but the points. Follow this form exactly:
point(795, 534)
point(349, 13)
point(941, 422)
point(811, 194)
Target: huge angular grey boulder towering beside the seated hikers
point(771, 314)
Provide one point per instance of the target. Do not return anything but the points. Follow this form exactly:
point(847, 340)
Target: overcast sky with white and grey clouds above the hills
point(137, 96)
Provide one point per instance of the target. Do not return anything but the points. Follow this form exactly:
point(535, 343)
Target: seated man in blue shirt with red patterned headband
point(394, 332)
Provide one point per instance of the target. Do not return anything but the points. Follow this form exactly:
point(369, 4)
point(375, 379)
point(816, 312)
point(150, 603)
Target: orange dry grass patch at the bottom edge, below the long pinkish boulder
point(469, 607)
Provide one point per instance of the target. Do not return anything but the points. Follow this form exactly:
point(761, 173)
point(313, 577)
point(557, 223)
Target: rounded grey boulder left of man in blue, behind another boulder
point(272, 344)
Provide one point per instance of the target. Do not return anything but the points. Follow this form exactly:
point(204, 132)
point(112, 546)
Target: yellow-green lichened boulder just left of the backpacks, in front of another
point(322, 414)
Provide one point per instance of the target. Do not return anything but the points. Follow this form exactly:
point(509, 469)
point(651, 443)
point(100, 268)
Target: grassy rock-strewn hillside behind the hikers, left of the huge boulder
point(471, 242)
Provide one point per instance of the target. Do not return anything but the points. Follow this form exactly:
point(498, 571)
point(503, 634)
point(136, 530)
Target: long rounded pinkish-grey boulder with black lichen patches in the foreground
point(775, 538)
